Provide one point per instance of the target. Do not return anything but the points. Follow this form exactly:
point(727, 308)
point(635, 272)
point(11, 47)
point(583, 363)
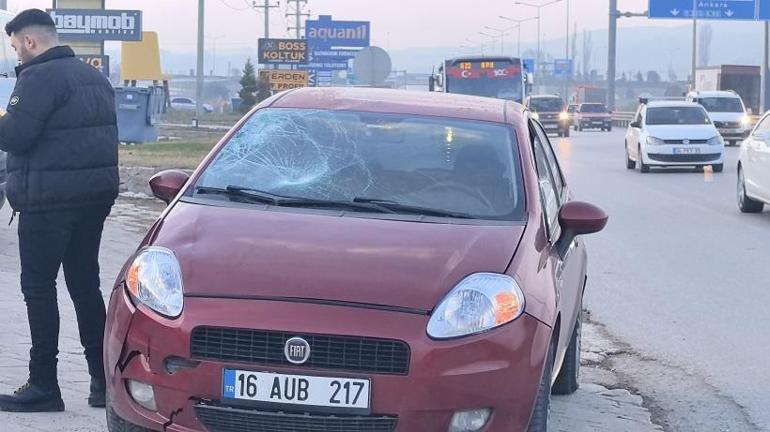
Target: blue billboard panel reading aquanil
point(325, 34)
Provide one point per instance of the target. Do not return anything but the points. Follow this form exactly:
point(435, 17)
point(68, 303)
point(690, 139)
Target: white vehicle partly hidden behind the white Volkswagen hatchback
point(727, 111)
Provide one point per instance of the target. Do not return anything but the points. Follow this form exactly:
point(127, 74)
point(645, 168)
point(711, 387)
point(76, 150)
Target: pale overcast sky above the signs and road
point(397, 24)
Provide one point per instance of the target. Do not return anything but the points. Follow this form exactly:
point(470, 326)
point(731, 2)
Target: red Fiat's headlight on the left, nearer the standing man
point(155, 279)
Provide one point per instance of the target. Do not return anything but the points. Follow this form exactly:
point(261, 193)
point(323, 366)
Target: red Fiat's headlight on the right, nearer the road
point(480, 302)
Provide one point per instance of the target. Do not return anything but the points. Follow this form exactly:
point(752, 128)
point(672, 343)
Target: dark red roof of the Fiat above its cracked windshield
point(400, 102)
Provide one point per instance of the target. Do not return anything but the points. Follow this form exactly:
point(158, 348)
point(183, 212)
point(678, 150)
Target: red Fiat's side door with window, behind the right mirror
point(569, 270)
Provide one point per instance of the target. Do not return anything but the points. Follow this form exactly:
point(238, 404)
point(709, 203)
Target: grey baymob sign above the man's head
point(98, 25)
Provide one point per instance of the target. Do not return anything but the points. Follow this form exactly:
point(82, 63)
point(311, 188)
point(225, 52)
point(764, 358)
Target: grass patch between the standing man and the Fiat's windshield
point(165, 155)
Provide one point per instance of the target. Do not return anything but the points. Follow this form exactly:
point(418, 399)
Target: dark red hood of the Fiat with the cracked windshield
point(252, 253)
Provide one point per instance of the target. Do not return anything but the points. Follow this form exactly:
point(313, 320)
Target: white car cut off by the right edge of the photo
point(754, 168)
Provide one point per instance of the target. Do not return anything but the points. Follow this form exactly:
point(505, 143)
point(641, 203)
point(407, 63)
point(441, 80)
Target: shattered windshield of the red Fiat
point(437, 163)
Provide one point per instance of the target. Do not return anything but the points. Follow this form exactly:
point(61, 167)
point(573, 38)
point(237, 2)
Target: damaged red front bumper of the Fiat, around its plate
point(500, 369)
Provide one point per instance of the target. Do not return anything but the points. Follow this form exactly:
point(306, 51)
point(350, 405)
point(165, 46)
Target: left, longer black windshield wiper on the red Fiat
point(264, 197)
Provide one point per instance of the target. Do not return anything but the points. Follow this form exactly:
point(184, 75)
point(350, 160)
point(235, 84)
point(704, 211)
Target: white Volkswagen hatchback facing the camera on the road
point(673, 134)
